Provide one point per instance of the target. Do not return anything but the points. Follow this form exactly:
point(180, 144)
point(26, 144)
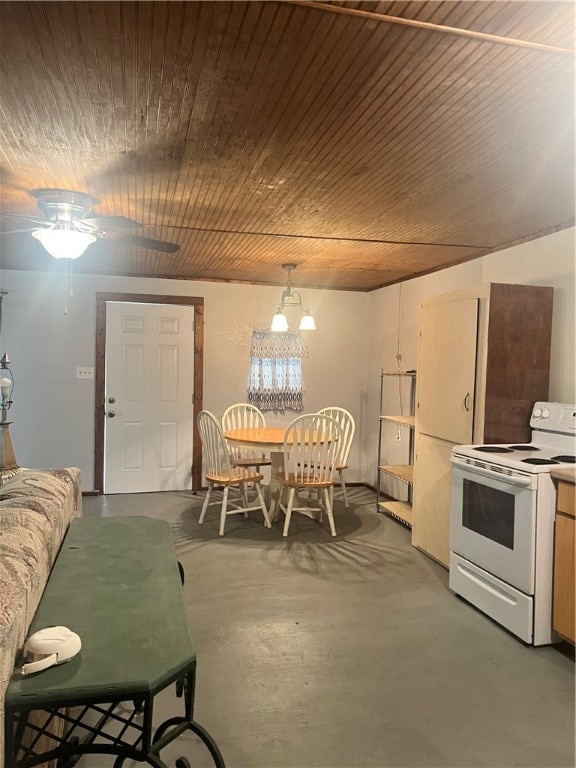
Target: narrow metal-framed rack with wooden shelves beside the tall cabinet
point(400, 510)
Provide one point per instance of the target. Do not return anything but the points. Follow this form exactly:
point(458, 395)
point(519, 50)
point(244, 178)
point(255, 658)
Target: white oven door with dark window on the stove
point(493, 521)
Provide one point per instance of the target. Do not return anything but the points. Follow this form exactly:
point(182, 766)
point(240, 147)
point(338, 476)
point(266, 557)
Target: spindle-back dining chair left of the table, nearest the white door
point(220, 472)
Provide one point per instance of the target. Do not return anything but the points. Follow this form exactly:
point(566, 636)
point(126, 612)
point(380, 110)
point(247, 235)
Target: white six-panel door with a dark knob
point(149, 386)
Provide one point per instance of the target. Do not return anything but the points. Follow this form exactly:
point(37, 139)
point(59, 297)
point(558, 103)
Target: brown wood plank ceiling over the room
point(257, 133)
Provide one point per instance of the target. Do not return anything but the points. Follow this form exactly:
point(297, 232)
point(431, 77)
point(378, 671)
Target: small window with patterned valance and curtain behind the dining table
point(276, 370)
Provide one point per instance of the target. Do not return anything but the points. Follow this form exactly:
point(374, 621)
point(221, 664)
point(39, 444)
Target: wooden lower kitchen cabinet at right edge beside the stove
point(563, 621)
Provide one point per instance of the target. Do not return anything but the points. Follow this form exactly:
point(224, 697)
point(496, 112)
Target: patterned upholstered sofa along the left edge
point(36, 507)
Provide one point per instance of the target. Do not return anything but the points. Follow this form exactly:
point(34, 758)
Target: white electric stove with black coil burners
point(502, 523)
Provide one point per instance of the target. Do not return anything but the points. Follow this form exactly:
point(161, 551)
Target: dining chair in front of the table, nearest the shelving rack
point(311, 453)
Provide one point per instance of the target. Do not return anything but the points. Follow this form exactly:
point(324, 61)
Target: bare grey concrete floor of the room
point(316, 652)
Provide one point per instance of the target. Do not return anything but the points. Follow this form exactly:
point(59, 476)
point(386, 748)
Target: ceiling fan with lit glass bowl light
point(67, 229)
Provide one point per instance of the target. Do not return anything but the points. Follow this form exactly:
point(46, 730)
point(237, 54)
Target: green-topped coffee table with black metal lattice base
point(116, 583)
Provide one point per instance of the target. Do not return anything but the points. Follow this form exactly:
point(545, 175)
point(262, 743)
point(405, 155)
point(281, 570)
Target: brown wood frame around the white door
point(99, 382)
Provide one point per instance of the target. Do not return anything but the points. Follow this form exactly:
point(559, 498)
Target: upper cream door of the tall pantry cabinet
point(447, 370)
